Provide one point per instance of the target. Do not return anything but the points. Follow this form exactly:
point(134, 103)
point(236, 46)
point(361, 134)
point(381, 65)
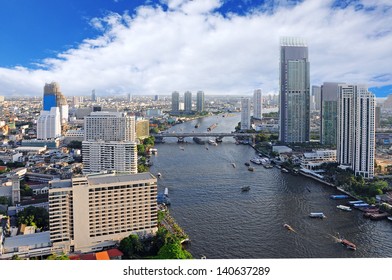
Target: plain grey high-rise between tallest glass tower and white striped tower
point(329, 113)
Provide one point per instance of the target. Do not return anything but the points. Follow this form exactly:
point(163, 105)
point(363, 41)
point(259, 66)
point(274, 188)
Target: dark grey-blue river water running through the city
point(225, 223)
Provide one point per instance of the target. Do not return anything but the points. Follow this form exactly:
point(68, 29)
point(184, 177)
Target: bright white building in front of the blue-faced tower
point(49, 124)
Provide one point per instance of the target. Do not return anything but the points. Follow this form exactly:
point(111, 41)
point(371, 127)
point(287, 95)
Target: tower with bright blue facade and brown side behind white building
point(54, 98)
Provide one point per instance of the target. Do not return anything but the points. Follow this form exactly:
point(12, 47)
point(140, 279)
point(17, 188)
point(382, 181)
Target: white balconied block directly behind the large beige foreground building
point(99, 156)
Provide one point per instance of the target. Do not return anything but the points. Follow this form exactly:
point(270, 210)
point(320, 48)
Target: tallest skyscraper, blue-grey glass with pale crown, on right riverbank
point(294, 91)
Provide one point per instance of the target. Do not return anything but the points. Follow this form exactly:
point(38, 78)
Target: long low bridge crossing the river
point(217, 135)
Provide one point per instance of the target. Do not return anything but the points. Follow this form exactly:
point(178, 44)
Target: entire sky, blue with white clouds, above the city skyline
point(156, 47)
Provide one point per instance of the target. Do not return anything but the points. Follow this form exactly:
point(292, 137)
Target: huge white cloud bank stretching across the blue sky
point(188, 45)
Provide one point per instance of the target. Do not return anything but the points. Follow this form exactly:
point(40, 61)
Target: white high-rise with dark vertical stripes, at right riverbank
point(356, 129)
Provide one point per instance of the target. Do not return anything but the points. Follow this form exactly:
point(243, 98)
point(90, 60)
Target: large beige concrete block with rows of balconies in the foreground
point(91, 213)
